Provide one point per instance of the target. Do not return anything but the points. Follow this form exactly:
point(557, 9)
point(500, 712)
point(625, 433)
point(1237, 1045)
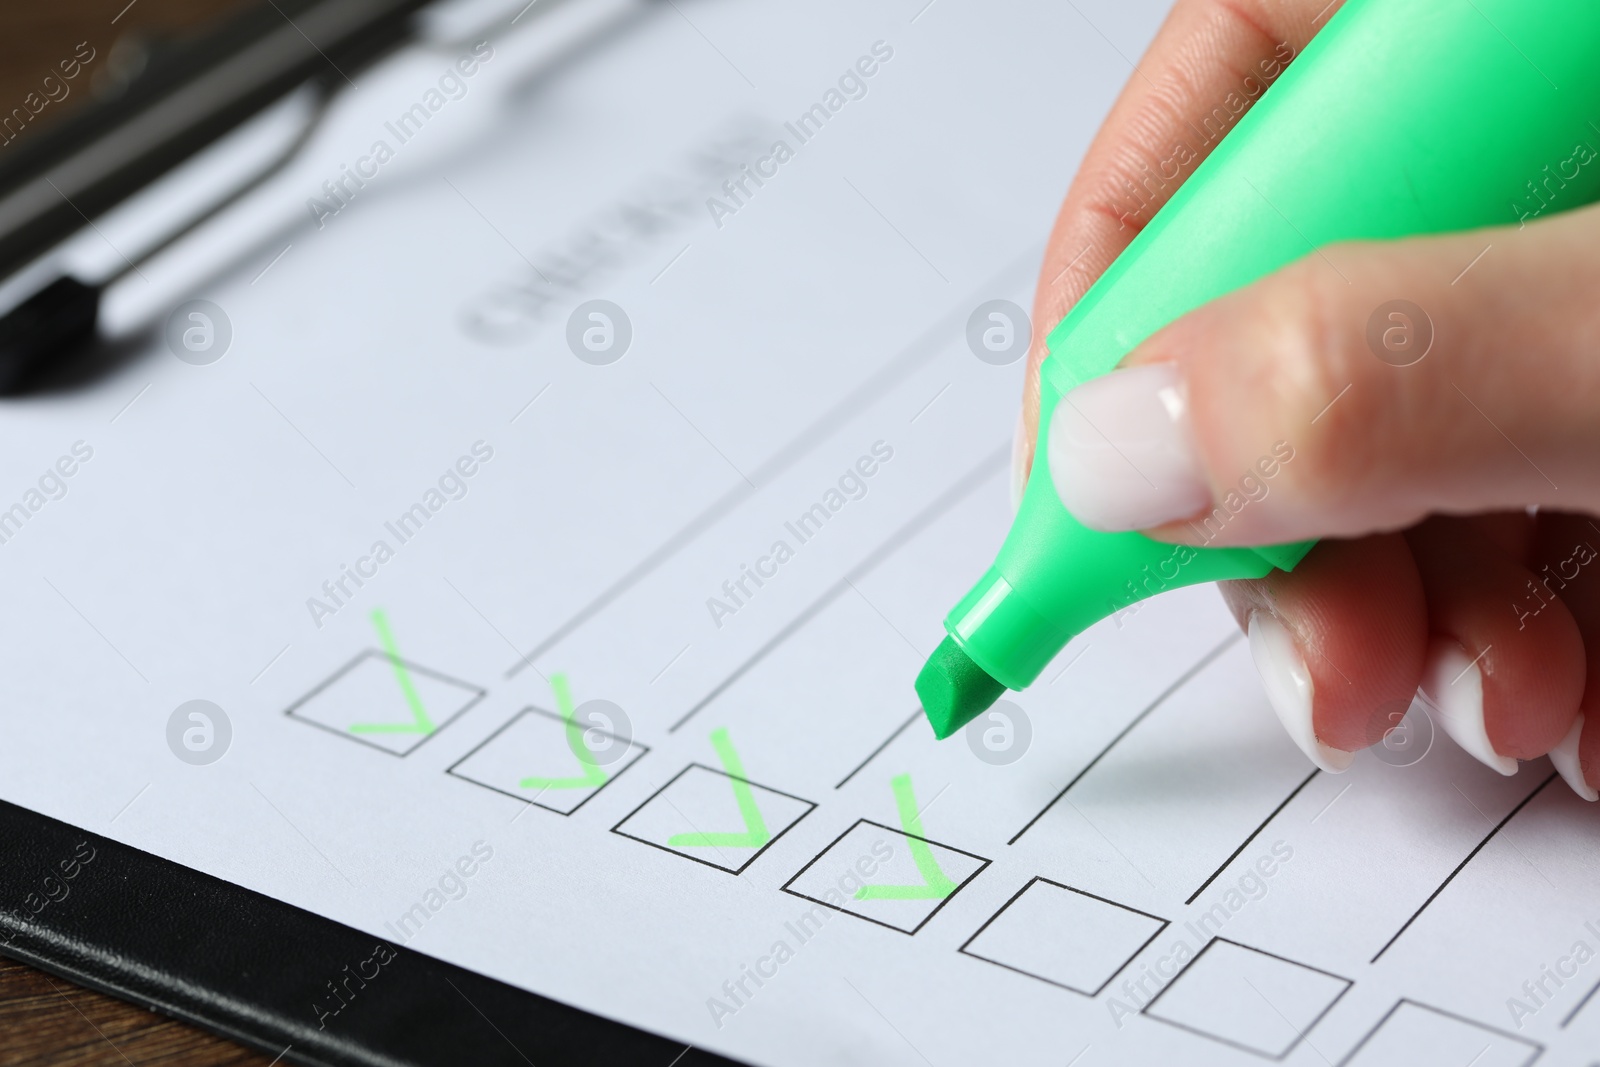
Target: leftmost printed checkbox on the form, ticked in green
point(386, 703)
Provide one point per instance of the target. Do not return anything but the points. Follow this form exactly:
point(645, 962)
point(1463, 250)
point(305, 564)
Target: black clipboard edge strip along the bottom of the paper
point(273, 977)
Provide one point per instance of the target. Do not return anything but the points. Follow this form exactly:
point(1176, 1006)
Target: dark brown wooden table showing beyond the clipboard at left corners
point(46, 1020)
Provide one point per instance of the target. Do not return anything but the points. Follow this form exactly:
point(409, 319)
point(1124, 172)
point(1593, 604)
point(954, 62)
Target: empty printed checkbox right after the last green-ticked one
point(1065, 937)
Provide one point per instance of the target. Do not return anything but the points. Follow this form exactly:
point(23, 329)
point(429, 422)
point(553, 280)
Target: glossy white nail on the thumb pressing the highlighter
point(1122, 452)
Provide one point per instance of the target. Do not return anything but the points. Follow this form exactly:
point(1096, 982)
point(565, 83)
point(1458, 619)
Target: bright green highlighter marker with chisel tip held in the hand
point(1402, 118)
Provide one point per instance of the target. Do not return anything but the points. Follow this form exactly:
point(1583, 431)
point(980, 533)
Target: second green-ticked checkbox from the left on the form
point(548, 761)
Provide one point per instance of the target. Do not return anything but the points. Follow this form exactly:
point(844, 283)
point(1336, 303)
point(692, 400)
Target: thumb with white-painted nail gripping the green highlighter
point(1356, 391)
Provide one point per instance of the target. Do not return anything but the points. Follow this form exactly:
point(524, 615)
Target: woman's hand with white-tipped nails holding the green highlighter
point(1418, 434)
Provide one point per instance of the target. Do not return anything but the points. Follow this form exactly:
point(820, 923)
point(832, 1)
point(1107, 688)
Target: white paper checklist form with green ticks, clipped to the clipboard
point(700, 804)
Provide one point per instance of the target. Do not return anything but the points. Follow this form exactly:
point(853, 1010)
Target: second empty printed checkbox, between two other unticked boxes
point(1247, 999)
